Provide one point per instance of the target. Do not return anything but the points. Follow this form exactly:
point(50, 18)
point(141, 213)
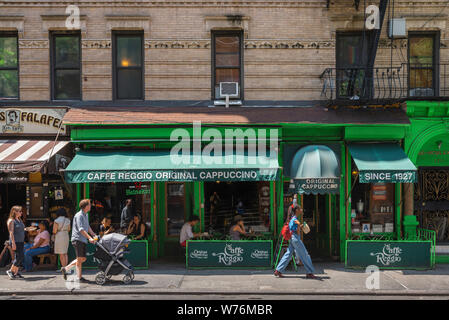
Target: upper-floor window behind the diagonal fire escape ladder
point(352, 58)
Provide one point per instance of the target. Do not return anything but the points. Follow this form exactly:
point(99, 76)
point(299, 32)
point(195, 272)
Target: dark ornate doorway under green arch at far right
point(432, 201)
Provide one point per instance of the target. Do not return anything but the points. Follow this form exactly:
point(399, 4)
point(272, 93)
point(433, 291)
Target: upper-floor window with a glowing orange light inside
point(128, 66)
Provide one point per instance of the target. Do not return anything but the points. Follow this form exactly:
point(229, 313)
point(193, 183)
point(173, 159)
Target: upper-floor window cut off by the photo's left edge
point(9, 67)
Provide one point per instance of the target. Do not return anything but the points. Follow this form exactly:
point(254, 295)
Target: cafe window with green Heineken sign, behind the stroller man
point(108, 200)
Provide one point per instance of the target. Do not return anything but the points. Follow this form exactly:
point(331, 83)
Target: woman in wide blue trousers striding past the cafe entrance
point(295, 245)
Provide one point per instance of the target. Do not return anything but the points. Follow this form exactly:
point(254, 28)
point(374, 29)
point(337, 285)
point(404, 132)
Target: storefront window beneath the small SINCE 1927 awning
point(372, 207)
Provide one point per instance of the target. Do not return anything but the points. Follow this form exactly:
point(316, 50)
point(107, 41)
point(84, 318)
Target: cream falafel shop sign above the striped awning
point(39, 121)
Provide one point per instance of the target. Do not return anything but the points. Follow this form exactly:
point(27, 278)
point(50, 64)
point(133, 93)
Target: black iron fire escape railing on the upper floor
point(383, 85)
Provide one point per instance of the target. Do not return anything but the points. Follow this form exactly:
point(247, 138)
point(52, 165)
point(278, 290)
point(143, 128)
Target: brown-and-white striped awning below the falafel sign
point(27, 155)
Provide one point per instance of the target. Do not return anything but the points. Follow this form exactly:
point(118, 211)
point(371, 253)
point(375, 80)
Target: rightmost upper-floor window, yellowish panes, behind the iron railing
point(422, 57)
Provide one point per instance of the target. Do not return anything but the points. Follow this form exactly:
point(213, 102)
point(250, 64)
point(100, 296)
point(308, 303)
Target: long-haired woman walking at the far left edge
point(16, 230)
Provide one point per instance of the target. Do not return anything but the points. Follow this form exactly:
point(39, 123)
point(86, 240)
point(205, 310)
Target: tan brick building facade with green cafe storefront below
point(132, 72)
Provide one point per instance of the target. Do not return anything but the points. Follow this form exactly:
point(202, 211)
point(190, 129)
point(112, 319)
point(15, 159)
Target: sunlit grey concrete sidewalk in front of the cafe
point(175, 279)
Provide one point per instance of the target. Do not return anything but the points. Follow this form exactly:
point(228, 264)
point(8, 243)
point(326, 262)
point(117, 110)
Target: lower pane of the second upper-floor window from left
point(67, 84)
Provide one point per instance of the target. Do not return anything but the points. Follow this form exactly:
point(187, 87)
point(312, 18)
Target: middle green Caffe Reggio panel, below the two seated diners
point(223, 254)
